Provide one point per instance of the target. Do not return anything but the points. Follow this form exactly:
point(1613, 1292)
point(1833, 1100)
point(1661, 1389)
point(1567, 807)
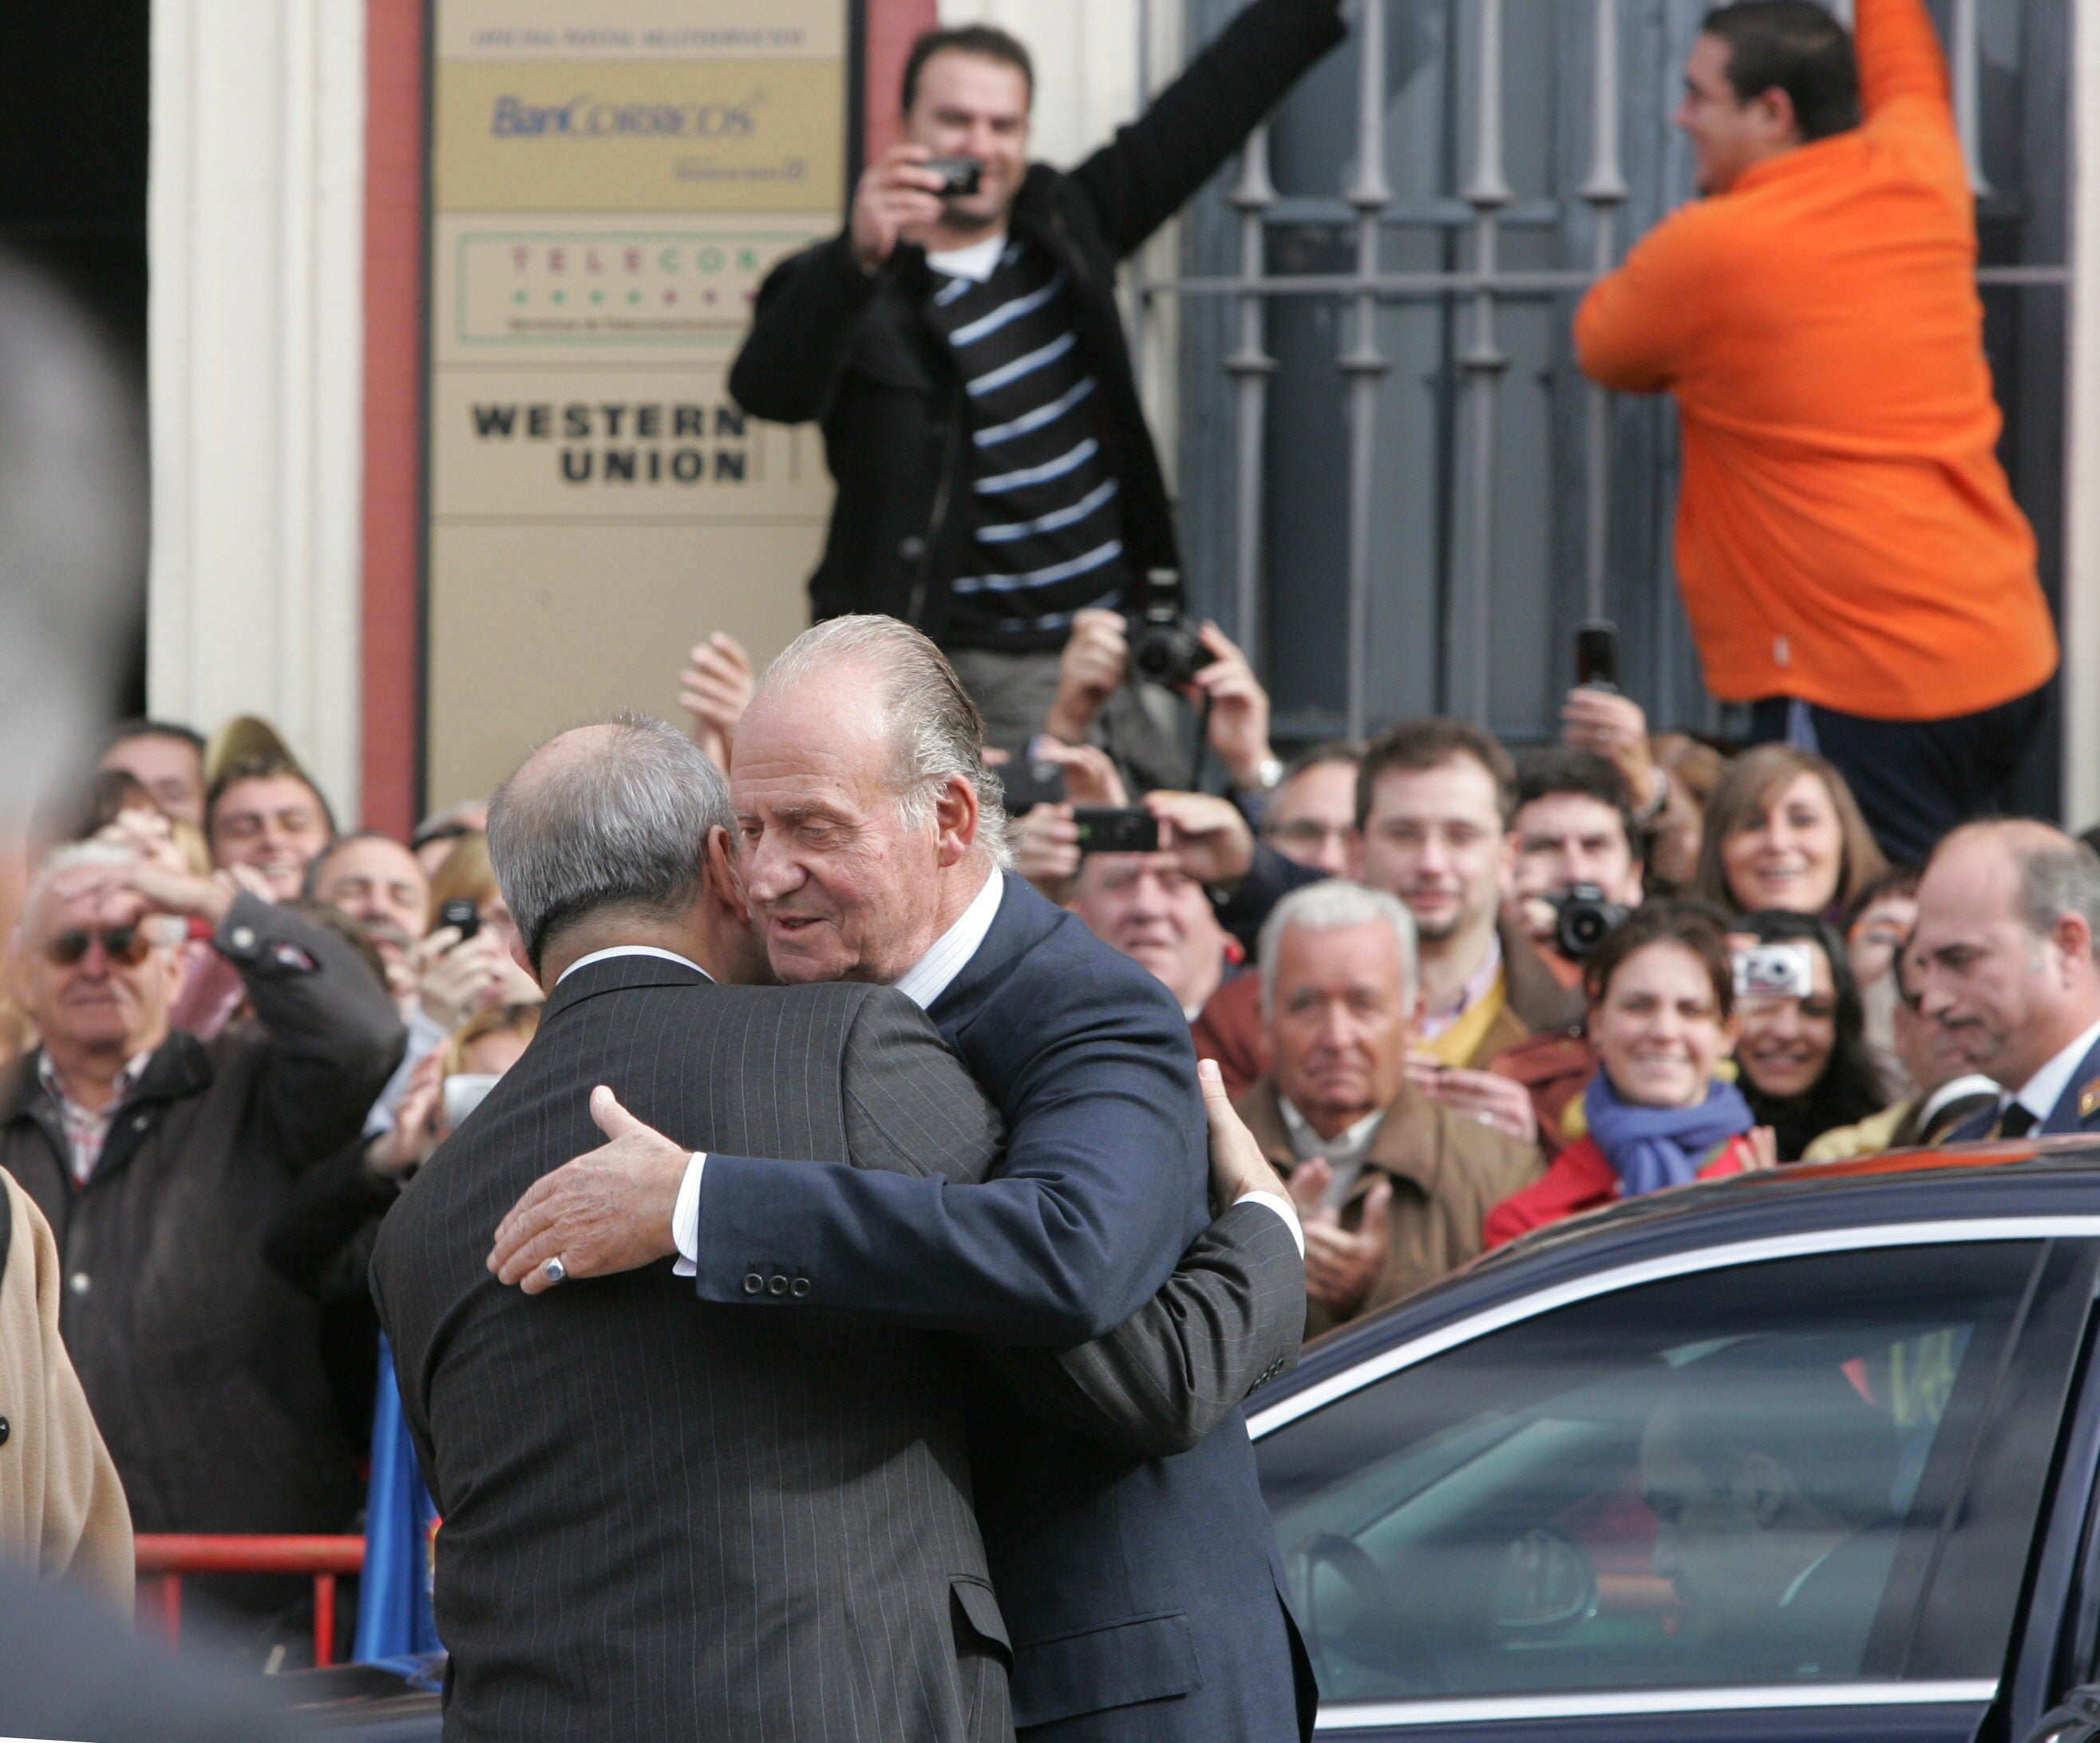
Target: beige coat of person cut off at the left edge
point(62, 1507)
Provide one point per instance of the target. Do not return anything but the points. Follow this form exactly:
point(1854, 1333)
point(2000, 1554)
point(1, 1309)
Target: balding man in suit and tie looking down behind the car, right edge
point(2009, 927)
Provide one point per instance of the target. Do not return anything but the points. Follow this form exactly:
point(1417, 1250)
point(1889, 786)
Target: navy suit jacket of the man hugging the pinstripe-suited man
point(1143, 1597)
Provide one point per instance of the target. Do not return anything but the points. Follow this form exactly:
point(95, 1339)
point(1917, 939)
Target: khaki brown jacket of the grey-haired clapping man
point(1448, 1175)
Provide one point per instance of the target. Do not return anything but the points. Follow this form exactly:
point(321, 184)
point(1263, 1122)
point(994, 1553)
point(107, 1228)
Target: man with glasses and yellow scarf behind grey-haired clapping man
point(1433, 803)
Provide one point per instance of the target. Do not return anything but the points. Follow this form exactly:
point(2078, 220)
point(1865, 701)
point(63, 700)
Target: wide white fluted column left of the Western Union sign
point(255, 322)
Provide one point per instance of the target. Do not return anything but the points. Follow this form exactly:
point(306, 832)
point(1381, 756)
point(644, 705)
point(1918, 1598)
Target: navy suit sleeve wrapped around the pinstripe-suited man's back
point(1104, 1188)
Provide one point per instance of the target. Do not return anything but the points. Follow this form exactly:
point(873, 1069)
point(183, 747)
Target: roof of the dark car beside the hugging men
point(2028, 1177)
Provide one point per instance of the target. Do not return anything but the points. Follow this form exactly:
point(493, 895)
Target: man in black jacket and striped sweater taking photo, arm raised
point(969, 362)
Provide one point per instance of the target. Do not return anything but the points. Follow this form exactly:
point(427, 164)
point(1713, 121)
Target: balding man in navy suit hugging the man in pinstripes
point(1139, 1582)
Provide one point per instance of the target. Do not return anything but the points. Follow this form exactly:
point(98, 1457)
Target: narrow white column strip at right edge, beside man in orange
point(2082, 537)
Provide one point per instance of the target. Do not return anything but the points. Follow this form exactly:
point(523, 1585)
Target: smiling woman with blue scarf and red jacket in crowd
point(1662, 1022)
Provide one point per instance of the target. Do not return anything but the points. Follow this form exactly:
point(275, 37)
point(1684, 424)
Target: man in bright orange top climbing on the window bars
point(1849, 549)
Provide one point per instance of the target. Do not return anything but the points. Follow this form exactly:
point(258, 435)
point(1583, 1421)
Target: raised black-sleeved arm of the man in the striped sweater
point(1156, 165)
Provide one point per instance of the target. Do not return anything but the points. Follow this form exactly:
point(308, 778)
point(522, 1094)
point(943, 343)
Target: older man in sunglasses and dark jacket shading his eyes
point(159, 1162)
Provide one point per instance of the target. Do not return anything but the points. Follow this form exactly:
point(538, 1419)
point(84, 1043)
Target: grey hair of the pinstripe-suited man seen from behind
point(621, 828)
